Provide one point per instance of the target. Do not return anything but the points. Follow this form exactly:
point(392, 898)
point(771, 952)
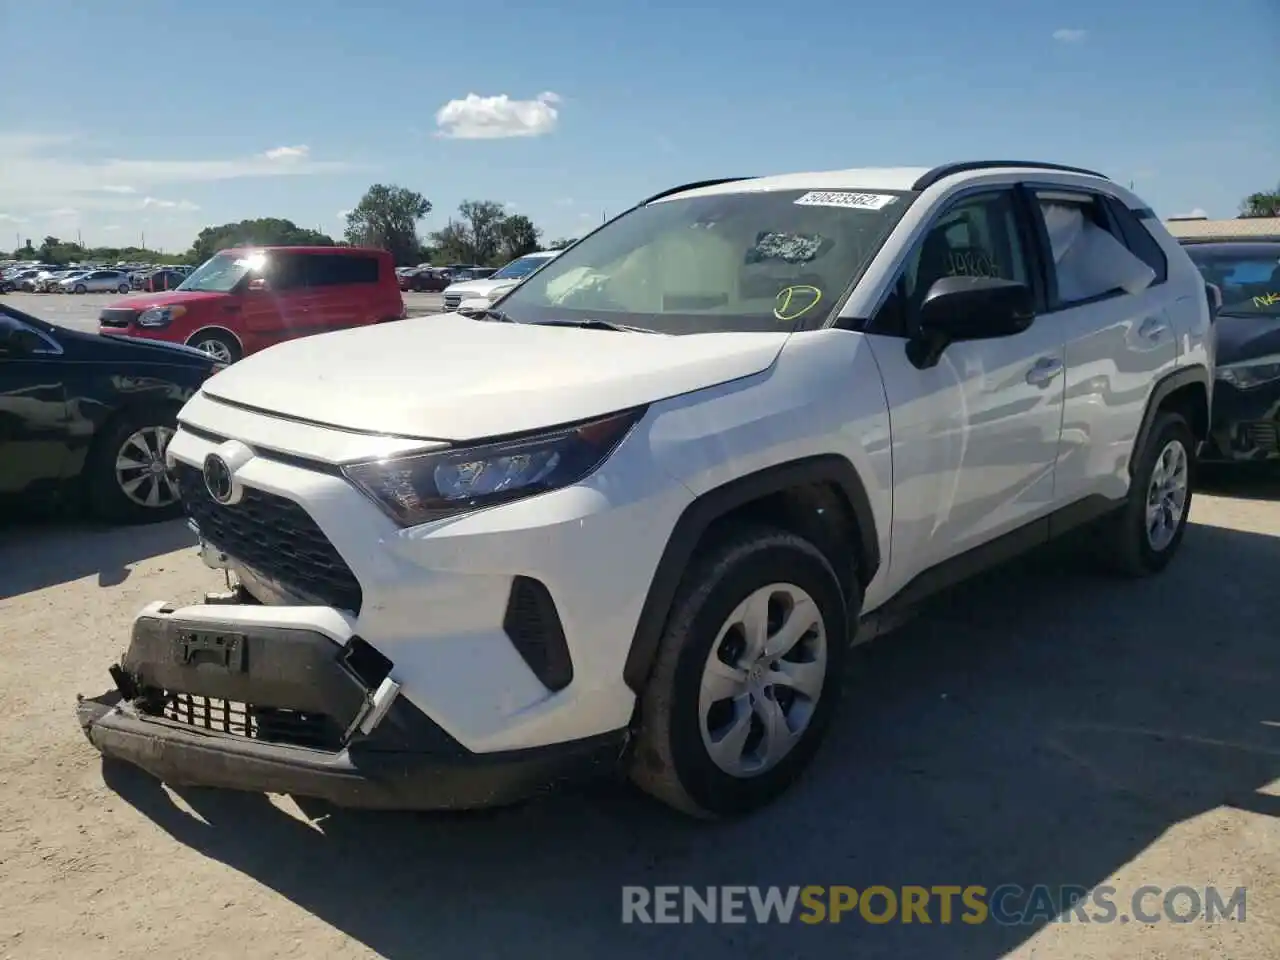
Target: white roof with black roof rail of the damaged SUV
point(894, 179)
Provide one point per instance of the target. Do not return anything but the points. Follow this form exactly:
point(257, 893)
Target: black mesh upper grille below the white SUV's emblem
point(273, 536)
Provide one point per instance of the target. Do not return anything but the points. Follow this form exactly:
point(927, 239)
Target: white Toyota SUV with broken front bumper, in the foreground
point(638, 511)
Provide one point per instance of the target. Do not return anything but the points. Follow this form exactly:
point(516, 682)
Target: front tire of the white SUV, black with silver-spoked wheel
point(671, 757)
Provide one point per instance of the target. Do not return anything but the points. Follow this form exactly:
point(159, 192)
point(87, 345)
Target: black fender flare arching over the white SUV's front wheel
point(721, 501)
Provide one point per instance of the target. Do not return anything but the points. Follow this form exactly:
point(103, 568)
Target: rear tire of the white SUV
point(1130, 547)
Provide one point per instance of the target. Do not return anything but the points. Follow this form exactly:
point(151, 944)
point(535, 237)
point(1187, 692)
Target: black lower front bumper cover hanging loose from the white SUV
point(406, 764)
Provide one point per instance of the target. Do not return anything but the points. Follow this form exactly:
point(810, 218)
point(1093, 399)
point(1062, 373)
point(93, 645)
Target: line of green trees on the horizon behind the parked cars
point(482, 232)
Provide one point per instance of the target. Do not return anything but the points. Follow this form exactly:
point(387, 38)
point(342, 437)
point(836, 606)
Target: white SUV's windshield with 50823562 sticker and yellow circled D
point(767, 260)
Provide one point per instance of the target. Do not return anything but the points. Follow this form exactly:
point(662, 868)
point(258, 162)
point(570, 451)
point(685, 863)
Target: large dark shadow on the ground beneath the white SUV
point(1039, 726)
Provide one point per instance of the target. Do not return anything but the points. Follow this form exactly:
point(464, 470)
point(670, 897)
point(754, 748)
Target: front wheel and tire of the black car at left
point(138, 437)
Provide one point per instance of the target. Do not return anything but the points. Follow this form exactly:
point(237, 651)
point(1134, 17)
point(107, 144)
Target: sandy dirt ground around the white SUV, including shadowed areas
point(1043, 726)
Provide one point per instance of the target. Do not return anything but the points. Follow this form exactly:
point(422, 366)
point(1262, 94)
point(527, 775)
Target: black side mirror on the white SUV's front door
point(970, 309)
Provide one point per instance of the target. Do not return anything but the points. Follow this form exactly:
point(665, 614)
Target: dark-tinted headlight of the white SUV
point(418, 490)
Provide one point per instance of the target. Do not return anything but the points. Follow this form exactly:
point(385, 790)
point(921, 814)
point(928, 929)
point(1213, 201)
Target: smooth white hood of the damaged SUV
point(451, 378)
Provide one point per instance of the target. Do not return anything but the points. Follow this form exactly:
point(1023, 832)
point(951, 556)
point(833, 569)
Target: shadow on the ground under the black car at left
point(35, 556)
